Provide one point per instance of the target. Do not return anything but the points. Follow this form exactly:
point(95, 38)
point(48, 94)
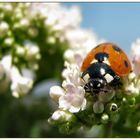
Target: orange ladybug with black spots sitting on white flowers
point(103, 68)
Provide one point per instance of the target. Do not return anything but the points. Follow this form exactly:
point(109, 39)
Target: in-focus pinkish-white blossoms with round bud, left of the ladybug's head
point(71, 97)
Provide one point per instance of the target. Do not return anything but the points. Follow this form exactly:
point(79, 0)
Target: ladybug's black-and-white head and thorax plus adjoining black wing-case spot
point(99, 74)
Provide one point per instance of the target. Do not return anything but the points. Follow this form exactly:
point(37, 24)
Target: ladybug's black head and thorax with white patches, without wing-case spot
point(99, 77)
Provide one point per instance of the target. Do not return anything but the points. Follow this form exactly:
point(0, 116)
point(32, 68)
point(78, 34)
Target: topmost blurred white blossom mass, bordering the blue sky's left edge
point(57, 16)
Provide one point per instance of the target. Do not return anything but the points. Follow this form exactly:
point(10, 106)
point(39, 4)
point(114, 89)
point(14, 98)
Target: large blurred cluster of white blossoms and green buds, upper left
point(31, 34)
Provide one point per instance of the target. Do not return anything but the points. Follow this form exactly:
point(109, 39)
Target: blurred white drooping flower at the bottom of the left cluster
point(20, 85)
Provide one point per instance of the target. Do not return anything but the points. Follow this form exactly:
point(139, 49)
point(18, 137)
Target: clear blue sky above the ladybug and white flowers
point(115, 22)
